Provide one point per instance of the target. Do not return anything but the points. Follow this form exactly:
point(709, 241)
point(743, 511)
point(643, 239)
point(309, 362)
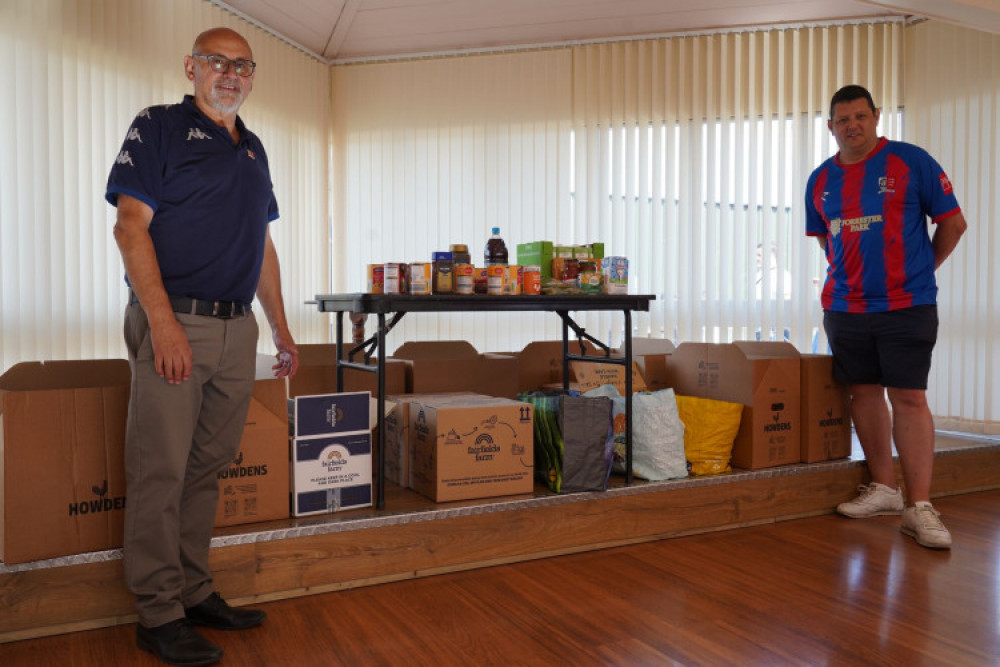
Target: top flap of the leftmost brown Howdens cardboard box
point(45, 375)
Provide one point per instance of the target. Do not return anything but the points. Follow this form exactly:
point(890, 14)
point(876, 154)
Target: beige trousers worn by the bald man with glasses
point(178, 437)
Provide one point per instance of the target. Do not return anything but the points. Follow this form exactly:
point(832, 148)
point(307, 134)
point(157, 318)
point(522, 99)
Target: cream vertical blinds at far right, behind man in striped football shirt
point(953, 110)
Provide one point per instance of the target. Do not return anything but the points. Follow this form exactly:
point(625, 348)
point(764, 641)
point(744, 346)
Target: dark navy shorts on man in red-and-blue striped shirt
point(892, 349)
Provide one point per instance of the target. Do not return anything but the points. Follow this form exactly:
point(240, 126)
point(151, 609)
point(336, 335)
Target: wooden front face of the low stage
point(295, 558)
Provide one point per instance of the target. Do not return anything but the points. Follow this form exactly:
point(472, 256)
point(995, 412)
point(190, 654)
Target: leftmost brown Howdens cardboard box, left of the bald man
point(62, 441)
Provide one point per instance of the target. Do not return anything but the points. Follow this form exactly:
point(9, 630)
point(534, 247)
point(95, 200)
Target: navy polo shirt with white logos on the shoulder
point(212, 199)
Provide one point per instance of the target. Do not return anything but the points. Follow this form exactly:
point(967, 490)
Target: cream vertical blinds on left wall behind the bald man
point(75, 75)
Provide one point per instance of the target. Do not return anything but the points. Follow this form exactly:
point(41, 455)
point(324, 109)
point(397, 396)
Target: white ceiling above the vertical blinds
point(346, 30)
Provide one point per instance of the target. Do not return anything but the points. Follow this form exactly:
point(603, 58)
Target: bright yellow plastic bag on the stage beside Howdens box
point(710, 427)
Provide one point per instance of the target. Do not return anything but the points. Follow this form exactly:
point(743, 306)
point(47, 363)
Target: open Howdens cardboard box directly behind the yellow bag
point(764, 377)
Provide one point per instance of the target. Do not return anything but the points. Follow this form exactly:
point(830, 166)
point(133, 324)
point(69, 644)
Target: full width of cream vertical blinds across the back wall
point(683, 154)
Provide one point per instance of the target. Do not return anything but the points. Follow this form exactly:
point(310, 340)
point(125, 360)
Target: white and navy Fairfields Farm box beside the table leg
point(331, 453)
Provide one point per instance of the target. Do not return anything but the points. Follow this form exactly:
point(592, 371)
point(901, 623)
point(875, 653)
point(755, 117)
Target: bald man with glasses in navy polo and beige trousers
point(194, 204)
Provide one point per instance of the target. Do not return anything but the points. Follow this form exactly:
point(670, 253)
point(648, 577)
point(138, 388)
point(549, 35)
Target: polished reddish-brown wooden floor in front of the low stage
point(818, 590)
